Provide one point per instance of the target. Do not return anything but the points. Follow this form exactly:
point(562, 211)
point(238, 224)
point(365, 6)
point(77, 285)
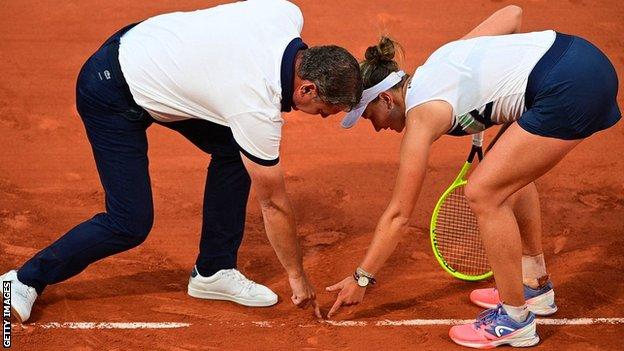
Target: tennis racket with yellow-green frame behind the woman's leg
point(454, 230)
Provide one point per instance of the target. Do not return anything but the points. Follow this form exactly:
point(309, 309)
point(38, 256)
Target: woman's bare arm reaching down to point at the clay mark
point(424, 125)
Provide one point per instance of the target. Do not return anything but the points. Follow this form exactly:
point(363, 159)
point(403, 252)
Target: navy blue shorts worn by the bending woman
point(571, 92)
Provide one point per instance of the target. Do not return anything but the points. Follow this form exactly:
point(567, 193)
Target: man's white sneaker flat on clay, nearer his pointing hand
point(231, 285)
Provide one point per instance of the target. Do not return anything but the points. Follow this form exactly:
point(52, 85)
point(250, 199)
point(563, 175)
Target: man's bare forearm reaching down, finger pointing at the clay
point(279, 223)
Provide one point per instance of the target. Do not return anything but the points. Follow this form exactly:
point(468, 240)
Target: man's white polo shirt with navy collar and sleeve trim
point(229, 65)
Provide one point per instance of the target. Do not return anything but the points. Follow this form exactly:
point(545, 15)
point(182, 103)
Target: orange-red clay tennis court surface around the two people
point(339, 182)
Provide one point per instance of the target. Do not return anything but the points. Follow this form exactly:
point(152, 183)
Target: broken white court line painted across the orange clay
point(269, 324)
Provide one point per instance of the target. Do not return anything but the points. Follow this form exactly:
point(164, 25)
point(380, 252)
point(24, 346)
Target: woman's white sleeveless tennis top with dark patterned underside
point(480, 77)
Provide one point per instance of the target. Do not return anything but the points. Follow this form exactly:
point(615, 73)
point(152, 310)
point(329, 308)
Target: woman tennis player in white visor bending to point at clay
point(558, 89)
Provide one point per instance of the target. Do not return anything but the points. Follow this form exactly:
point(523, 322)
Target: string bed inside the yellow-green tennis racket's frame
point(457, 236)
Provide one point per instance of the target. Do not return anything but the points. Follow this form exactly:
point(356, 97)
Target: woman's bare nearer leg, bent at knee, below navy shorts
point(514, 162)
